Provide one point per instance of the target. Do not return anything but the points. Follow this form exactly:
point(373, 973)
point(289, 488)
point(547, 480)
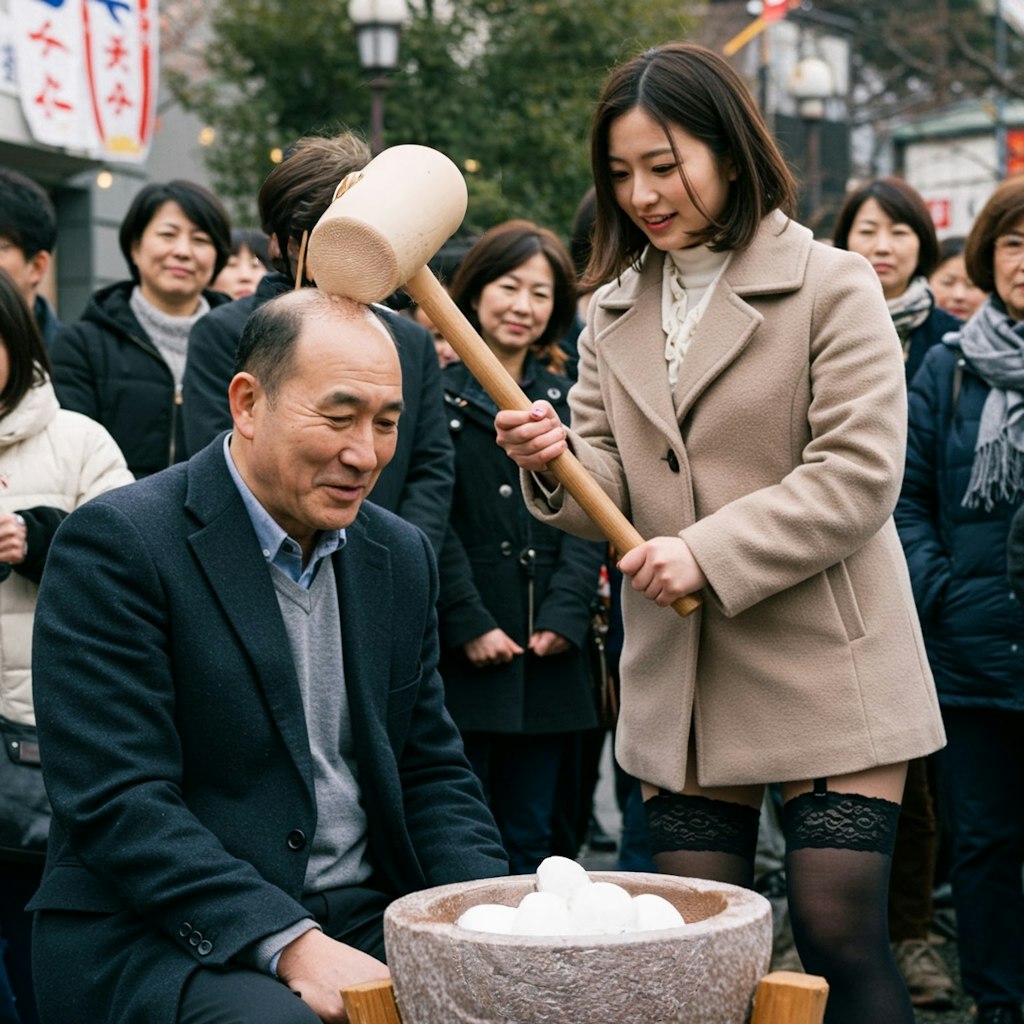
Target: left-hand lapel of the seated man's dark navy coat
point(227, 548)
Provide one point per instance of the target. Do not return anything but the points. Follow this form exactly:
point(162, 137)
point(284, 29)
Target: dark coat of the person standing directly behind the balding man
point(416, 485)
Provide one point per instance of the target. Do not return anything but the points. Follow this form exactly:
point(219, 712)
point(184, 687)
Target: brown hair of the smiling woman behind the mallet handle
point(503, 249)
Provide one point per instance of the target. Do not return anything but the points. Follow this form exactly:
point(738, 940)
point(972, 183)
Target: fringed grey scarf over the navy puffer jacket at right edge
point(995, 345)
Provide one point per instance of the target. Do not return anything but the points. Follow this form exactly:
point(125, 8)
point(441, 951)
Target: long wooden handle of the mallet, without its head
point(428, 291)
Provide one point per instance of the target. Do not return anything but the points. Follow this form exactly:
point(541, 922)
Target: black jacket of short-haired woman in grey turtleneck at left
point(106, 367)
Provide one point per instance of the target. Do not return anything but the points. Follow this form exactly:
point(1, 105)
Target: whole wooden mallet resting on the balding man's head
point(386, 224)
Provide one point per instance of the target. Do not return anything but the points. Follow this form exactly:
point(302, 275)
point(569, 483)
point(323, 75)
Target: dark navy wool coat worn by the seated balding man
point(176, 744)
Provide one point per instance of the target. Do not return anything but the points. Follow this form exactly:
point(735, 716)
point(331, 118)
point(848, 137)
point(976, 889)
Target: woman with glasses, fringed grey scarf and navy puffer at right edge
point(964, 483)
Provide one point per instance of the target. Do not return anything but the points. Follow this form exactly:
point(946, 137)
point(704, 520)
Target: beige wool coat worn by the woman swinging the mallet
point(779, 460)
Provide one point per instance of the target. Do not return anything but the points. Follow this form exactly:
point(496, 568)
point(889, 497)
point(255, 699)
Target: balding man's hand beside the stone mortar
point(318, 968)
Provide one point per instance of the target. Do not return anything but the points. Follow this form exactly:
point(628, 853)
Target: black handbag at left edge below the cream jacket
point(25, 809)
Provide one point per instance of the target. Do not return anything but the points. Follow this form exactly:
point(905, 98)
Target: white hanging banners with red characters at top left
point(87, 73)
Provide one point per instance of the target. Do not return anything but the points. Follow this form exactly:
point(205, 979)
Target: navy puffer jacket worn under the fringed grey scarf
point(972, 621)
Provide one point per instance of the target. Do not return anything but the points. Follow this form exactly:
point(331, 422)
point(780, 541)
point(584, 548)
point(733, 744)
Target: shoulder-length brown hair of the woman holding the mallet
point(693, 89)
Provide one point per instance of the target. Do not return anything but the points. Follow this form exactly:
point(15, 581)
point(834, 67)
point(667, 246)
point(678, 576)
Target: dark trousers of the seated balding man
point(354, 916)
